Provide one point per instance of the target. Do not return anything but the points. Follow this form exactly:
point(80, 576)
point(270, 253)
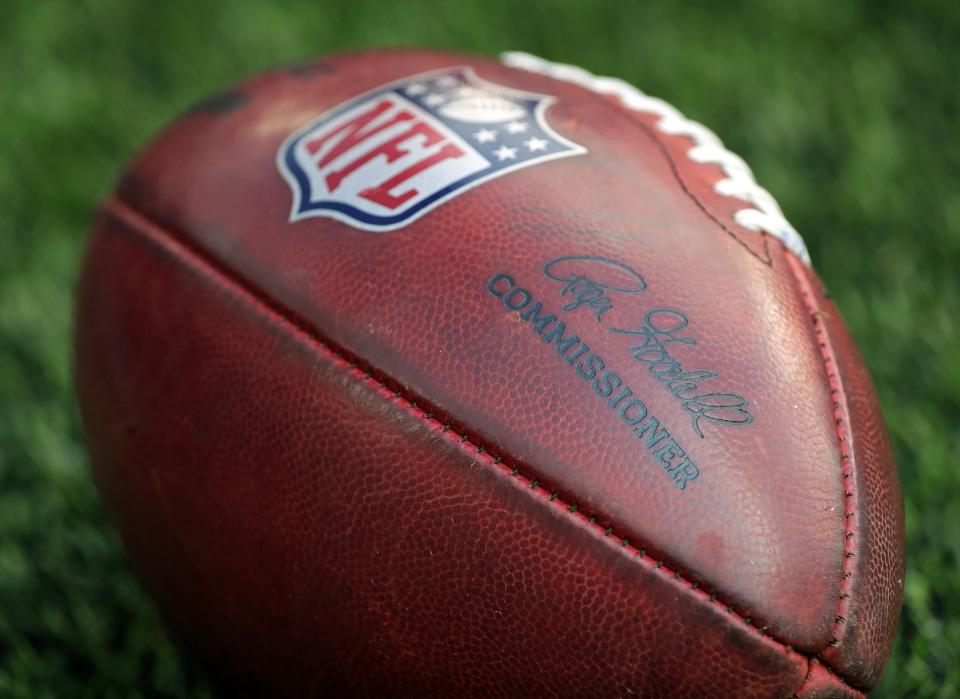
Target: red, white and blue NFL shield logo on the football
point(391, 155)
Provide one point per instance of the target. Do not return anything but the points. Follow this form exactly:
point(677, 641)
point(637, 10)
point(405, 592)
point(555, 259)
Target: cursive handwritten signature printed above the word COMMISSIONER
point(592, 282)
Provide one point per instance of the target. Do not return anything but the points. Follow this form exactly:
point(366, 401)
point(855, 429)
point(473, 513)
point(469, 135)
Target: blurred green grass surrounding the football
point(848, 112)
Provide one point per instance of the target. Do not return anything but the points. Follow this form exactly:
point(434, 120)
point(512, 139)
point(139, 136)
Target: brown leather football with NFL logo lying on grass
point(416, 374)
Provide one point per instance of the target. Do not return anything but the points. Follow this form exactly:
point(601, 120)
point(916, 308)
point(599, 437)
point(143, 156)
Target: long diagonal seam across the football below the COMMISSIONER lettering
point(210, 267)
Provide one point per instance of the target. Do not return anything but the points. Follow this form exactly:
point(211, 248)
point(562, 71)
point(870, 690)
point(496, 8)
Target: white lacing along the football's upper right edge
point(739, 181)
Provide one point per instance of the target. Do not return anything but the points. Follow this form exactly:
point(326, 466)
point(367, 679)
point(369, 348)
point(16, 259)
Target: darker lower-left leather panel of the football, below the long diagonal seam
point(353, 547)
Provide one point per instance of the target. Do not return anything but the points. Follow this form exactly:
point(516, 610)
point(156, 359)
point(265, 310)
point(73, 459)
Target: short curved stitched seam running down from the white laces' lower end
point(841, 421)
